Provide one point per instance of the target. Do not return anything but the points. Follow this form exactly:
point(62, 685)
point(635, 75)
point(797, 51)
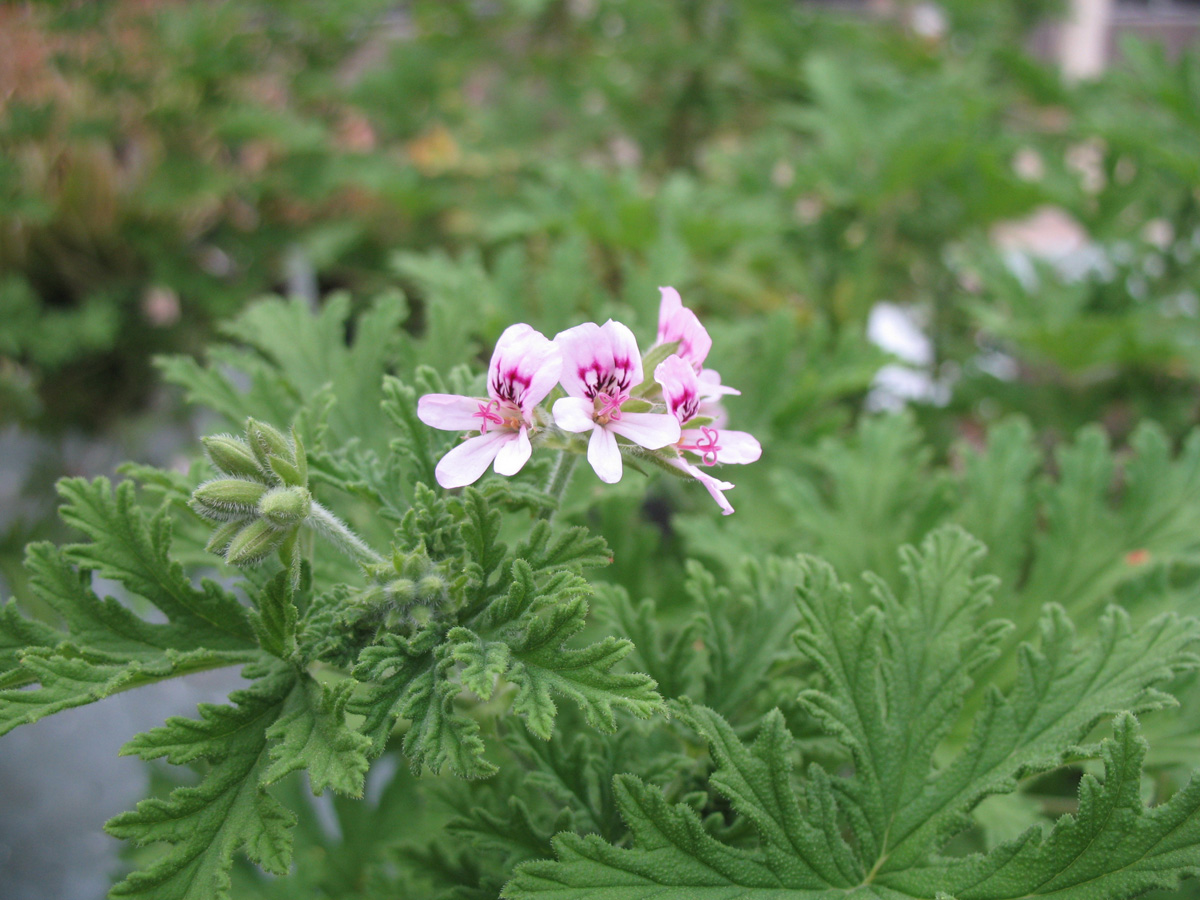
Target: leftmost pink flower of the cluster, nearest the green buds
point(525, 369)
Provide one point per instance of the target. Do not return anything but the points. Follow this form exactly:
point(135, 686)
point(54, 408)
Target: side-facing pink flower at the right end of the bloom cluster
point(687, 395)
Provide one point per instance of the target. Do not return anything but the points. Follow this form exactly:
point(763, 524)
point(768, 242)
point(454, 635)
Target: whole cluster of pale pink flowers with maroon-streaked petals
point(675, 419)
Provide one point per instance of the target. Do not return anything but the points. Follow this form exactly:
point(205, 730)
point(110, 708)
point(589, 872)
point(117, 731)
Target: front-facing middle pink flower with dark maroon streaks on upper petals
point(601, 368)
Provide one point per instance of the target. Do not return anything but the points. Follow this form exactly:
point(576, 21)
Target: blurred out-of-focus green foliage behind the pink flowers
point(424, 175)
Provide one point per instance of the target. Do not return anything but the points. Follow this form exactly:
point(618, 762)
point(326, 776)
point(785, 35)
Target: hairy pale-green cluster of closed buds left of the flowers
point(262, 500)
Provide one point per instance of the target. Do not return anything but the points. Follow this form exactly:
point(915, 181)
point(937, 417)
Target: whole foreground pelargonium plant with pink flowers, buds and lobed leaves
point(763, 731)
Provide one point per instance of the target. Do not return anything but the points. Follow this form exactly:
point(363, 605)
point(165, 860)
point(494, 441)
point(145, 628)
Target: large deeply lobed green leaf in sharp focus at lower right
point(893, 680)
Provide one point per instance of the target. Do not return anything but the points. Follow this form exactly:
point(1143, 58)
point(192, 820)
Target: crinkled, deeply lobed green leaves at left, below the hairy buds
point(333, 675)
